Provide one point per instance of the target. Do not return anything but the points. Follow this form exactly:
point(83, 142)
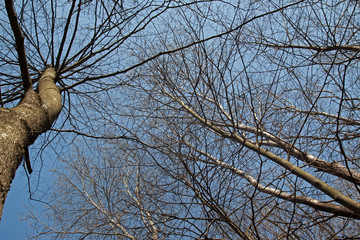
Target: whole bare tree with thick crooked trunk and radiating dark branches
point(74, 44)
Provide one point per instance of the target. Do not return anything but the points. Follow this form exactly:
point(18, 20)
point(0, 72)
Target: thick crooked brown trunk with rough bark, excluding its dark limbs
point(21, 125)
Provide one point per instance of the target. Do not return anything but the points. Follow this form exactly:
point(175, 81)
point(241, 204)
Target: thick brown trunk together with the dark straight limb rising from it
point(21, 125)
